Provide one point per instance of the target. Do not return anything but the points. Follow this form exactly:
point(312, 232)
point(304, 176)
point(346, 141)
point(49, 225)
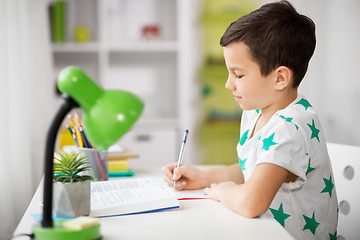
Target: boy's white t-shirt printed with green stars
point(293, 139)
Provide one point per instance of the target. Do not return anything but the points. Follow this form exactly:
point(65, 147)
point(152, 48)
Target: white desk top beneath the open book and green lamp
point(196, 219)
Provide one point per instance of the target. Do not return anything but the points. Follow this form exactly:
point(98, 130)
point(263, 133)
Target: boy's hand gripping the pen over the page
point(186, 177)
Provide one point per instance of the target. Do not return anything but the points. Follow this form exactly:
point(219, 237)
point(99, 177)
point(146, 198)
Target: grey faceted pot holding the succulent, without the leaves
point(71, 199)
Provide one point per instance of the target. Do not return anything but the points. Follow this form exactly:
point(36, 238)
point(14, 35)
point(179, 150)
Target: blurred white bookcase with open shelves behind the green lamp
point(145, 47)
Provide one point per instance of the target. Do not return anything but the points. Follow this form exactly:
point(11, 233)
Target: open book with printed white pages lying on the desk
point(130, 196)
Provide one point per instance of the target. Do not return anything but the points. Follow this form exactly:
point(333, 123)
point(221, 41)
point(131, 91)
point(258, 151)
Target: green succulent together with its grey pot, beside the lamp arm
point(71, 187)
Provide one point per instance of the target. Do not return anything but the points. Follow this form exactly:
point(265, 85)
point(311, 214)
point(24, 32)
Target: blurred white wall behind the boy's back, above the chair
point(332, 83)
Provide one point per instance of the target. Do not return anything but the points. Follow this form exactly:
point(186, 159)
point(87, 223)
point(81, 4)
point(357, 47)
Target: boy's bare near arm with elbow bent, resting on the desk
point(254, 197)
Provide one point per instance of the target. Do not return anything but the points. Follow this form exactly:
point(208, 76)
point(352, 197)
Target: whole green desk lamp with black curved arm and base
point(108, 114)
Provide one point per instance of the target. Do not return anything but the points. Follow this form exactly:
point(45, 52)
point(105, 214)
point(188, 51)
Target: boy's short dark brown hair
point(277, 35)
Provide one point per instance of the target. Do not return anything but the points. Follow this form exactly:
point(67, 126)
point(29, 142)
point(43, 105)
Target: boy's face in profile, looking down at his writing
point(250, 88)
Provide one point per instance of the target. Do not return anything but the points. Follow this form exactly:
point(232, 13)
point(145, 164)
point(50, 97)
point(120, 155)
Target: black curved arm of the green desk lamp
point(65, 108)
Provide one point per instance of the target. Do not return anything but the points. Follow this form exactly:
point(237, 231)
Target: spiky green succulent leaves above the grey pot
point(67, 167)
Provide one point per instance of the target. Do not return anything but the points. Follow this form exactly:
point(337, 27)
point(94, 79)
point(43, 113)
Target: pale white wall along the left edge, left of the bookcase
point(26, 104)
